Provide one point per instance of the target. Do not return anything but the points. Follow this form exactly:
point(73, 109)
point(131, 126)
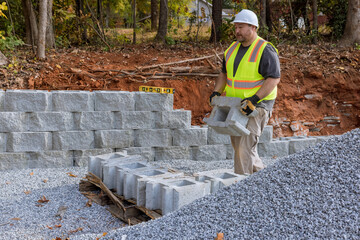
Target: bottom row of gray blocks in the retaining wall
point(66, 158)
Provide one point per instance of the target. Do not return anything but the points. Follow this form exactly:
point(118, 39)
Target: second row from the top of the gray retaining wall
point(94, 120)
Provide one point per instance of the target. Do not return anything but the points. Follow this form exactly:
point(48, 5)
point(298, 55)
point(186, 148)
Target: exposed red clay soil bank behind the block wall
point(318, 94)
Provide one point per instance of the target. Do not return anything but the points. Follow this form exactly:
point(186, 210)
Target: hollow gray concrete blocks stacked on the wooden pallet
point(154, 188)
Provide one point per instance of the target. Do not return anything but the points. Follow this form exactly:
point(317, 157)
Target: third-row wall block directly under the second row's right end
point(190, 137)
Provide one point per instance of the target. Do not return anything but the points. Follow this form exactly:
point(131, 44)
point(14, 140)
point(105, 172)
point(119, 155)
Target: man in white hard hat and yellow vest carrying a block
point(251, 71)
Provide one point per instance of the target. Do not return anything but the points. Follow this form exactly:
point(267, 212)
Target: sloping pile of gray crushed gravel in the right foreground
point(314, 194)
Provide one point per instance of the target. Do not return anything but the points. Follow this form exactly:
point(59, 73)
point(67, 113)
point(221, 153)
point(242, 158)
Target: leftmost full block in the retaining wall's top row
point(27, 101)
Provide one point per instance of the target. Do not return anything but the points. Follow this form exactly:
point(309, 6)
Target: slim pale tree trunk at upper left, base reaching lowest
point(42, 28)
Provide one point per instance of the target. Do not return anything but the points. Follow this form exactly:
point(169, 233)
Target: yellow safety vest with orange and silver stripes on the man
point(247, 80)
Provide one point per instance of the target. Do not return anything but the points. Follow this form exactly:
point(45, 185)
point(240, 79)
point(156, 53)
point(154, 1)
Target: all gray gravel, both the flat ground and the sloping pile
point(314, 194)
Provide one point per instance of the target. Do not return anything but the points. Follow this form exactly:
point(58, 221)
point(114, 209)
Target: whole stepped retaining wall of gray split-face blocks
point(63, 128)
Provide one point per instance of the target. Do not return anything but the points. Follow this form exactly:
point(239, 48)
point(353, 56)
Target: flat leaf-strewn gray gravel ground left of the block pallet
point(23, 217)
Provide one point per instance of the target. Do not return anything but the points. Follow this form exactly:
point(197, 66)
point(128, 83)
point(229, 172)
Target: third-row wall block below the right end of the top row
point(153, 138)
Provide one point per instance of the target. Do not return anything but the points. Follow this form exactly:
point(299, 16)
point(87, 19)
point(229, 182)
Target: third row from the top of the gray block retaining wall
point(78, 140)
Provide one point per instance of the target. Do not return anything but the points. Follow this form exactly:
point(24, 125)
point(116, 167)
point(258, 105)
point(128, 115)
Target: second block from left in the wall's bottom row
point(51, 159)
